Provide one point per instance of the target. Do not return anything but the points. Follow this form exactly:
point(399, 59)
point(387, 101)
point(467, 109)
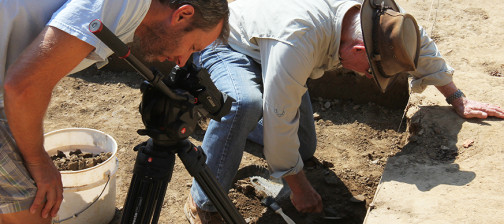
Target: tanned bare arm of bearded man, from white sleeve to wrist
point(29, 81)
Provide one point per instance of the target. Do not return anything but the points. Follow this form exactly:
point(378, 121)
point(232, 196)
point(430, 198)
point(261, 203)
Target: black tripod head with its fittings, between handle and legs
point(171, 120)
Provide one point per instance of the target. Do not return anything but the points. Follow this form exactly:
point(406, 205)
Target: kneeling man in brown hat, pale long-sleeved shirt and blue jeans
point(274, 47)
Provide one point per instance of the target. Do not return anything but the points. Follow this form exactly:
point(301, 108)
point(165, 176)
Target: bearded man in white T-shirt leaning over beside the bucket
point(44, 40)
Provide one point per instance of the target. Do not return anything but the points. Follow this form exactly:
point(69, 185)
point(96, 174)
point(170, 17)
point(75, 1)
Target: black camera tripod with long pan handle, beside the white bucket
point(170, 115)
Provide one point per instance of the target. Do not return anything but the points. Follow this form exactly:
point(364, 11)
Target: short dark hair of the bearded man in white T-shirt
point(208, 13)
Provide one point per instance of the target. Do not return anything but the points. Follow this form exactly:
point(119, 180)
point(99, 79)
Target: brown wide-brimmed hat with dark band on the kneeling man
point(391, 39)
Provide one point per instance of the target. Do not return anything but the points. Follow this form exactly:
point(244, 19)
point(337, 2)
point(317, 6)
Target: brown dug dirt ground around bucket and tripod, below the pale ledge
point(354, 141)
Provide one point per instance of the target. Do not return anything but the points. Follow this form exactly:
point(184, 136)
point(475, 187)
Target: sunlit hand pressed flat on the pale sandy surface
point(467, 108)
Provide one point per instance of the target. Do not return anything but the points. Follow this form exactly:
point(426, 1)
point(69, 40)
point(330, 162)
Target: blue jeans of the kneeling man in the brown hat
point(239, 76)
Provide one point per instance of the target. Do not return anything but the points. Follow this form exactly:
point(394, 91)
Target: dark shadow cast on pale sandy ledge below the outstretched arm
point(428, 159)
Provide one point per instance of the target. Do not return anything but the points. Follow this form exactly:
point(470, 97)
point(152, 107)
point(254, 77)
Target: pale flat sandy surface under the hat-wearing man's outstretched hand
point(439, 177)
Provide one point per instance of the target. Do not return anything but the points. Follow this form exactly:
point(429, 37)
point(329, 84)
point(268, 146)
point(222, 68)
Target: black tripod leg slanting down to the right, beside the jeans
point(194, 161)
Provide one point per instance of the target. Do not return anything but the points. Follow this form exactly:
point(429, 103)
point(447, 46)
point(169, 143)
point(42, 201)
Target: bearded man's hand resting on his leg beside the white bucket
point(49, 186)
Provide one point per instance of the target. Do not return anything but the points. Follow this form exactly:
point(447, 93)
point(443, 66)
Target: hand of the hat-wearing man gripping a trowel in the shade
point(303, 196)
